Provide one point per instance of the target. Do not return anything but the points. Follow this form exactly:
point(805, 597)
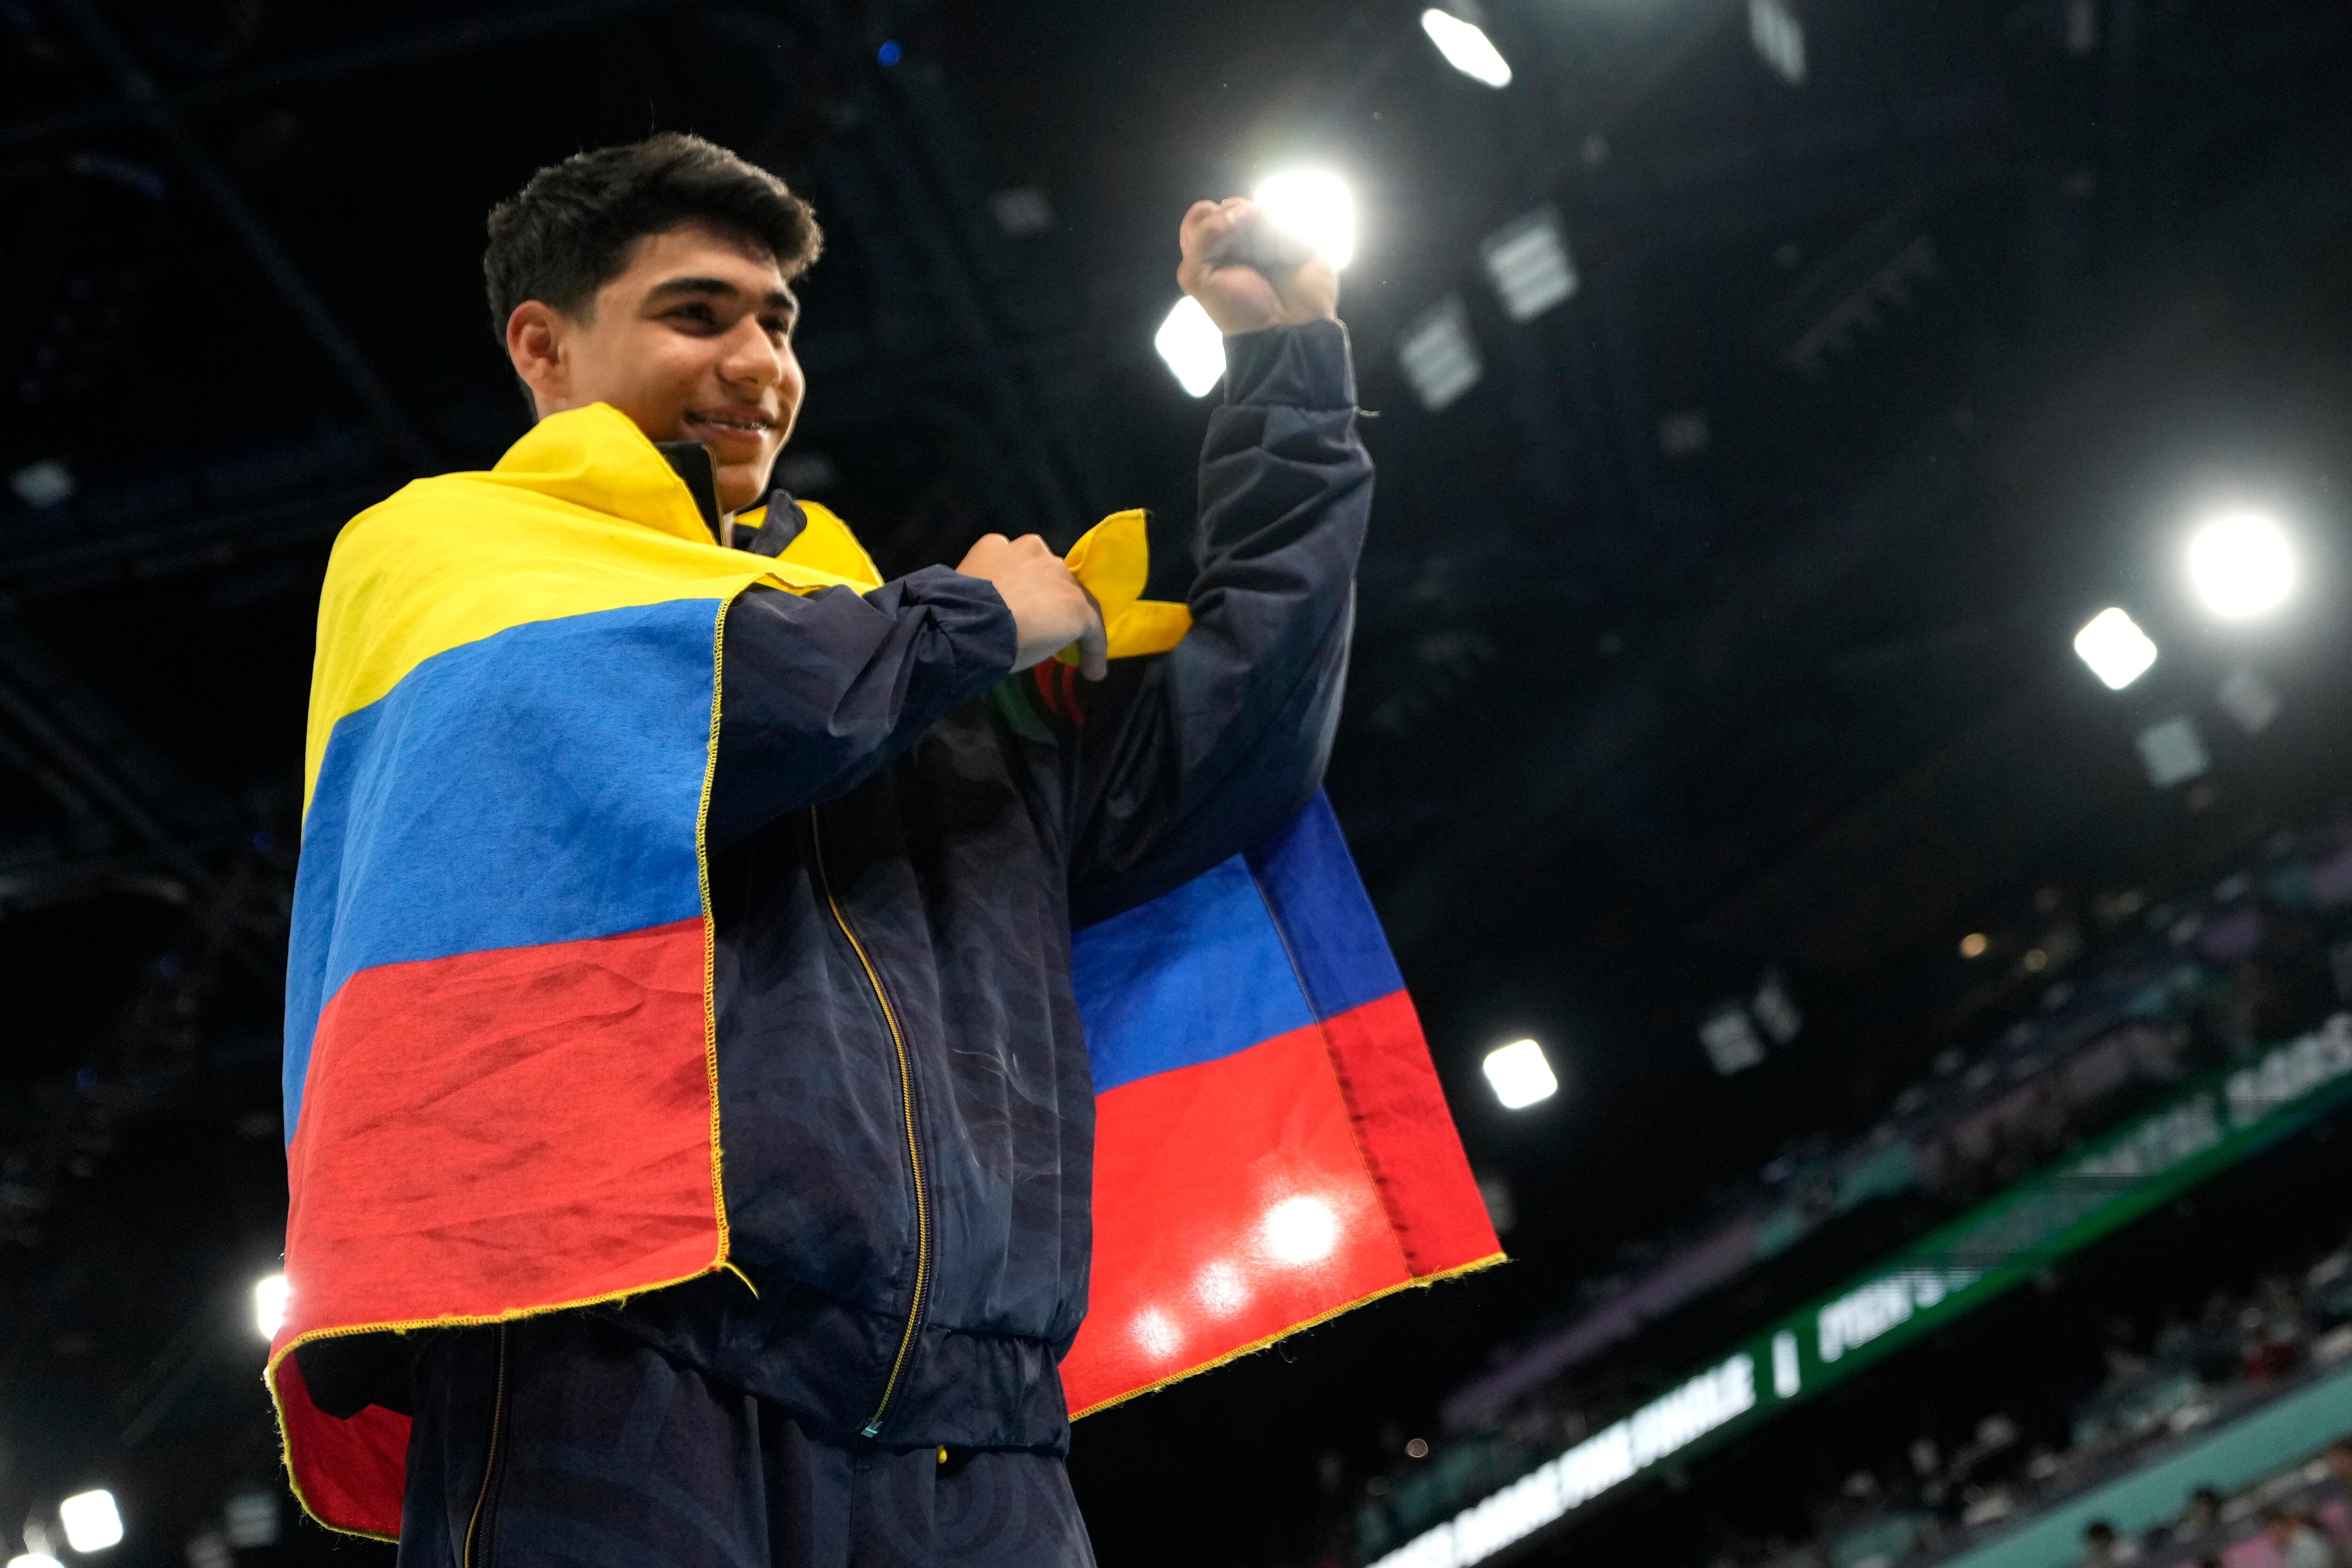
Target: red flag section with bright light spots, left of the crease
point(1231, 1205)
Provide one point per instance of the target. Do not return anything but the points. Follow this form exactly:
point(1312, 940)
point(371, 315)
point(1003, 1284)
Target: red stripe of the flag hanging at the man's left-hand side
point(502, 1132)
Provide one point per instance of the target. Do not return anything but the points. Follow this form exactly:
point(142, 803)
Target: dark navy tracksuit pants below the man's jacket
point(563, 1442)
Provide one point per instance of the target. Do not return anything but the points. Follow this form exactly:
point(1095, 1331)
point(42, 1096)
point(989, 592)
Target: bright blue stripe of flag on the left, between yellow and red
point(537, 786)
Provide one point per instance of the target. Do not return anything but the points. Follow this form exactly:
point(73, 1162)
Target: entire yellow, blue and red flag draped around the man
point(500, 1052)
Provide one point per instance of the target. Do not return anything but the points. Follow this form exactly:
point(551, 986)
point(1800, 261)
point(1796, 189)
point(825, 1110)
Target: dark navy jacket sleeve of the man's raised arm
point(1191, 756)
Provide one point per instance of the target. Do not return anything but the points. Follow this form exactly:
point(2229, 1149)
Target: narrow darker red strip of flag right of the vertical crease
point(1408, 1137)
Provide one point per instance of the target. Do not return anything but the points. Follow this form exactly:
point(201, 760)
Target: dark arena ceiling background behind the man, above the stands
point(1629, 725)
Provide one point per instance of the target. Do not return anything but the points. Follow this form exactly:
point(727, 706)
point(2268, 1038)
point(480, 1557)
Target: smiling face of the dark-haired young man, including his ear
point(693, 342)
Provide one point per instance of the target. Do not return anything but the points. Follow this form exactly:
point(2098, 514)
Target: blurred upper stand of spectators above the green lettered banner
point(2109, 1005)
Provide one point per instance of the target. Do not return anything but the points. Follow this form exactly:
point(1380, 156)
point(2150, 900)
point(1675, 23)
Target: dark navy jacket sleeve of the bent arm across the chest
point(817, 692)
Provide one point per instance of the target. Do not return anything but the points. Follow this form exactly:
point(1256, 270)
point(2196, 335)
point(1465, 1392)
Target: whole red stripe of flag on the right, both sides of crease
point(1318, 1170)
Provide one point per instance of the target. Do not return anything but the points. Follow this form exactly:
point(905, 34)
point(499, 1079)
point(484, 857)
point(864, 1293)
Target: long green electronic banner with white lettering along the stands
point(1958, 1268)
